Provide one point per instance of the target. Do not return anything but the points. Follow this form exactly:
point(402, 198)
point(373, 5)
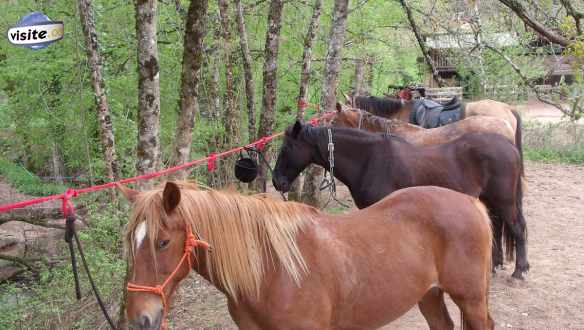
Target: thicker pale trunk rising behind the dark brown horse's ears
point(328, 98)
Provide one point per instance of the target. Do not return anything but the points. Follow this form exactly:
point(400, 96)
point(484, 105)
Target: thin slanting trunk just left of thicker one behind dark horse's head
point(296, 189)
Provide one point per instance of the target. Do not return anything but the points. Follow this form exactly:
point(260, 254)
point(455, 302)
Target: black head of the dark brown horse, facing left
point(297, 152)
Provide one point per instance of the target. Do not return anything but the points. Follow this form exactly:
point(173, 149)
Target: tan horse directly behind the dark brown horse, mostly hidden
point(356, 118)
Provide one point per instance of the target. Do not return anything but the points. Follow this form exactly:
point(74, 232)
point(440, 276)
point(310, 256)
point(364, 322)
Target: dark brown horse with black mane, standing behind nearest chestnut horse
point(372, 166)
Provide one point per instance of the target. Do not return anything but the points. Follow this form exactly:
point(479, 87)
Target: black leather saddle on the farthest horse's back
point(431, 114)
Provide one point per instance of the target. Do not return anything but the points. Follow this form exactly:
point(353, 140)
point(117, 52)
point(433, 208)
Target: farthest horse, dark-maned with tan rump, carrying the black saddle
point(395, 108)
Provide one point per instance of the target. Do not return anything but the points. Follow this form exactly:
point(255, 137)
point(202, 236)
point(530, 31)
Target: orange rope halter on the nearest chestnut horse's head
point(191, 242)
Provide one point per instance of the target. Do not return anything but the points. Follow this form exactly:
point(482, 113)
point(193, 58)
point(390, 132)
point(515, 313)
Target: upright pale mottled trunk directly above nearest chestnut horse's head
point(148, 88)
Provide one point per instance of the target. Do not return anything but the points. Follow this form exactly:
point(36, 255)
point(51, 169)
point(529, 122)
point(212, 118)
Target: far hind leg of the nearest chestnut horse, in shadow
point(434, 310)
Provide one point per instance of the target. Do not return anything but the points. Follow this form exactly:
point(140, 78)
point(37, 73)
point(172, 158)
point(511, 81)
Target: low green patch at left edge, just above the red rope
point(26, 182)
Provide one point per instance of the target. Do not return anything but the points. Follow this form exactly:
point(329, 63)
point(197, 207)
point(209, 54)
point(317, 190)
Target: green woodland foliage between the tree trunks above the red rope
point(50, 100)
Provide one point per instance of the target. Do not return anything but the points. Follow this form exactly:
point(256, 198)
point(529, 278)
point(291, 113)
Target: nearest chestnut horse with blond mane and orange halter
point(286, 265)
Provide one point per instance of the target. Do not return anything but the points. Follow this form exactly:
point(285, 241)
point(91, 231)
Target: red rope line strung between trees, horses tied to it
point(66, 196)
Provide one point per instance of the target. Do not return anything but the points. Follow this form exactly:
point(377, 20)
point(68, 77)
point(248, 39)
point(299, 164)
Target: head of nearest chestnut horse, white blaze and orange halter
point(159, 244)
